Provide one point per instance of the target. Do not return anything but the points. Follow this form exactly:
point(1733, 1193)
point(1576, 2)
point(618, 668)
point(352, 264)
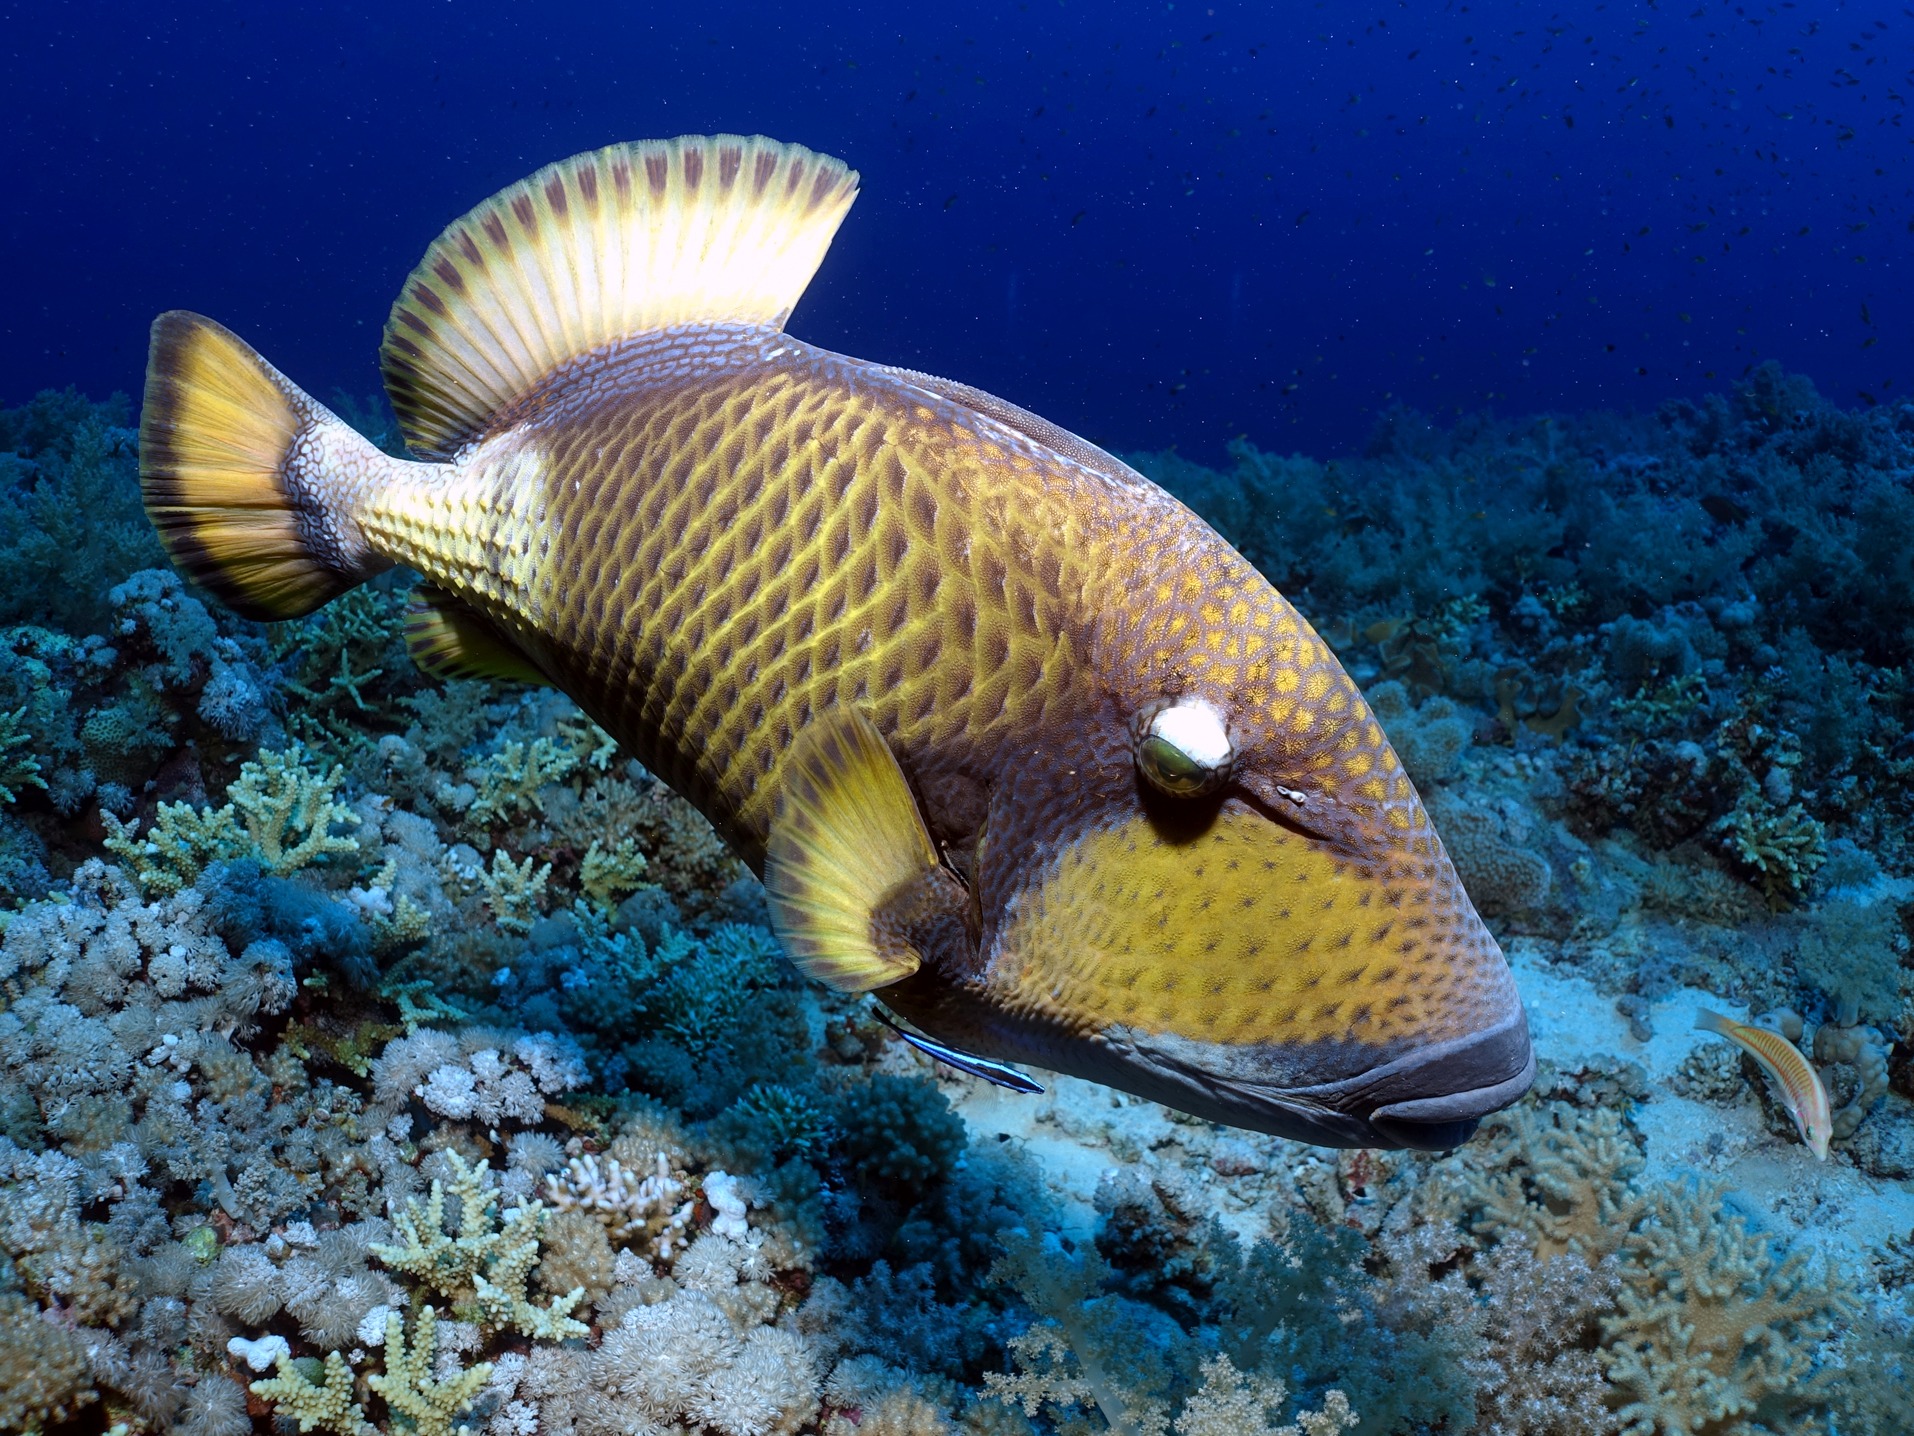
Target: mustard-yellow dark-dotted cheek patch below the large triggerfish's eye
point(1310, 953)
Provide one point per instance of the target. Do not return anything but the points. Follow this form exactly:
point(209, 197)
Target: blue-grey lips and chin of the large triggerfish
point(1427, 1100)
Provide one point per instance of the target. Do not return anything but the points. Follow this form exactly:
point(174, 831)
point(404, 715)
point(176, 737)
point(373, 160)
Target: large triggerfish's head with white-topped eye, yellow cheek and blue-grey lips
point(1243, 910)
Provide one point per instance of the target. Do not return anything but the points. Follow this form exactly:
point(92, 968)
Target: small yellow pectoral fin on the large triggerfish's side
point(847, 843)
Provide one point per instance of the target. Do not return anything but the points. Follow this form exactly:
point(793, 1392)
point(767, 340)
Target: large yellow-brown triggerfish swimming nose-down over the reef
point(1013, 738)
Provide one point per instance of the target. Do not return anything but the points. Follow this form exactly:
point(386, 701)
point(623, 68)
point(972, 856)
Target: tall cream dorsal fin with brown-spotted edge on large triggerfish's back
point(596, 250)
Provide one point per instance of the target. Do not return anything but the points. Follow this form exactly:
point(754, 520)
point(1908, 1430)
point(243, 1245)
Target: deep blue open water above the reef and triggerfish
point(1155, 223)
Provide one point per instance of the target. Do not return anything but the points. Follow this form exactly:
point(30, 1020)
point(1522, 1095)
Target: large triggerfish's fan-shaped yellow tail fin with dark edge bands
point(250, 482)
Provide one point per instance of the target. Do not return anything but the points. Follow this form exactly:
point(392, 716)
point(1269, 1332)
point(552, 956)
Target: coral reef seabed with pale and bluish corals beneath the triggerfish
point(388, 1056)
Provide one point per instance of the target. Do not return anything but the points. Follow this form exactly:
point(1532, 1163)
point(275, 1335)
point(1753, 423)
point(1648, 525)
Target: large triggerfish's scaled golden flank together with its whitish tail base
point(713, 562)
